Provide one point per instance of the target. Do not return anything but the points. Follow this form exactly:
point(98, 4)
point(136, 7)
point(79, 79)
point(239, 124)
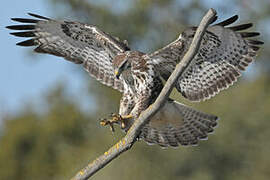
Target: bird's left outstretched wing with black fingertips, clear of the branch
point(77, 42)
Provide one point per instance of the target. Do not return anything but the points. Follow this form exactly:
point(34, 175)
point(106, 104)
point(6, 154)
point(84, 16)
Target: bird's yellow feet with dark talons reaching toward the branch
point(115, 118)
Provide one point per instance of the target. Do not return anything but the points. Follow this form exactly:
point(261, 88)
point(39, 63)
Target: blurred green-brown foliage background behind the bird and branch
point(58, 138)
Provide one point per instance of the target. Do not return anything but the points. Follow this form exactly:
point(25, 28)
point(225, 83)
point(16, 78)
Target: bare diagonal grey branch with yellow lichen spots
point(131, 136)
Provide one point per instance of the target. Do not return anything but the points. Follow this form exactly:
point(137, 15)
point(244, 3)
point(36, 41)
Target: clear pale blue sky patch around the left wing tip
point(22, 75)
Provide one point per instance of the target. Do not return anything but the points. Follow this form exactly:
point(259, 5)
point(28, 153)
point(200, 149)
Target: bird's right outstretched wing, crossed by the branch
point(223, 54)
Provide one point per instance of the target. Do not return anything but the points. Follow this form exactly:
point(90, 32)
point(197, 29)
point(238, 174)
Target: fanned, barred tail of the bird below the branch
point(176, 124)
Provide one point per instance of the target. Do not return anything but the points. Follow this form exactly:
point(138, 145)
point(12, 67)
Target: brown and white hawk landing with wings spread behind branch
point(224, 53)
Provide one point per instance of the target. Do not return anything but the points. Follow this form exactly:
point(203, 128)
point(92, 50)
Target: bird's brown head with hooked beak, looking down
point(121, 63)
